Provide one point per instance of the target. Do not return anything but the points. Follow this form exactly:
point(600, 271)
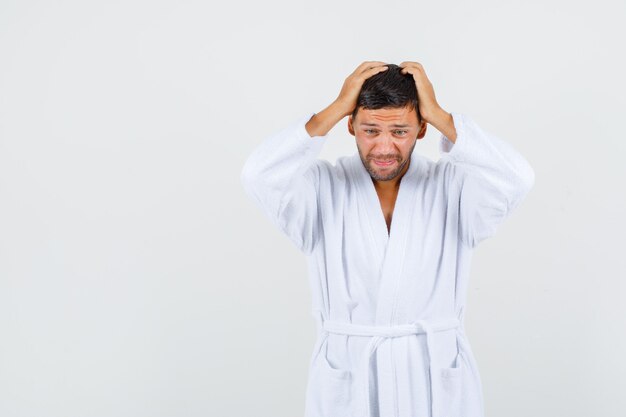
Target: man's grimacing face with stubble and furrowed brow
point(385, 139)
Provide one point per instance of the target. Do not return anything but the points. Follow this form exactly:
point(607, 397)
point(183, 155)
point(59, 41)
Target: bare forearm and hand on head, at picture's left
point(321, 123)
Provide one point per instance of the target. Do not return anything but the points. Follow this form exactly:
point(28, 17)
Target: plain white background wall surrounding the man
point(136, 277)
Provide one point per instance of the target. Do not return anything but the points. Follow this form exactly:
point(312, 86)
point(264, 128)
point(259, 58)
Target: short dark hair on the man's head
point(389, 88)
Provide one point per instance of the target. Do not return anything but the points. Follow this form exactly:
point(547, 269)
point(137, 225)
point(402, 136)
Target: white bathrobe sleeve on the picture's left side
point(282, 176)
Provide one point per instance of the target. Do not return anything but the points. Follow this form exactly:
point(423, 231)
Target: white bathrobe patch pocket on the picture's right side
point(447, 389)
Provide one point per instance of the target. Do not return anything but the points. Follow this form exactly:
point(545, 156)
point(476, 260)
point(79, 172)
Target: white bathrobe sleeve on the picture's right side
point(490, 178)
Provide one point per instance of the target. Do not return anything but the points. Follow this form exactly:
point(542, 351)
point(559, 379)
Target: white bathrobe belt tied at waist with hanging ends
point(379, 334)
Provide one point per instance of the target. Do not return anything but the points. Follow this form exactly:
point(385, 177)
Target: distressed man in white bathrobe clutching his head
point(388, 235)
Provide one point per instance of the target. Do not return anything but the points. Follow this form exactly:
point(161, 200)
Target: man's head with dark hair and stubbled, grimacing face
point(386, 123)
